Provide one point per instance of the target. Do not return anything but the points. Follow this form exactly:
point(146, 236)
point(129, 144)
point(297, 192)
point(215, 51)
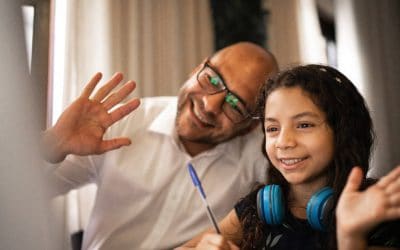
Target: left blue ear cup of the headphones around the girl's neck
point(270, 206)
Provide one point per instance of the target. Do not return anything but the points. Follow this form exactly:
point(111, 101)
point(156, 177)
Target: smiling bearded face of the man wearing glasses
point(205, 118)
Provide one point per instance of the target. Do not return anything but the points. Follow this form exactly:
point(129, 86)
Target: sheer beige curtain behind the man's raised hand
point(156, 43)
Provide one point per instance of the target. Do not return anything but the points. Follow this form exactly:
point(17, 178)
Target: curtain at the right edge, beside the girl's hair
point(369, 54)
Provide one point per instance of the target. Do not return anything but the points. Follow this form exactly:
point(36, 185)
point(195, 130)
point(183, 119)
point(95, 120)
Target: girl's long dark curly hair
point(347, 115)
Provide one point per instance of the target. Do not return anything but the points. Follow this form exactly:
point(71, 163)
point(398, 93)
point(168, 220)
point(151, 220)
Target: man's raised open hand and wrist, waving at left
point(81, 127)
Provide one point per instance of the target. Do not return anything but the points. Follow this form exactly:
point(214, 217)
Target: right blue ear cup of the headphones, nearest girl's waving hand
point(319, 208)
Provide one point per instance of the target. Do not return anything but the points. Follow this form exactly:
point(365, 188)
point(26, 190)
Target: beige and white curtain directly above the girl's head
point(294, 34)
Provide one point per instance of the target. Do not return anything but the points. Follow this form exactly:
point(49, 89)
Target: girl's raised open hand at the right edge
point(359, 212)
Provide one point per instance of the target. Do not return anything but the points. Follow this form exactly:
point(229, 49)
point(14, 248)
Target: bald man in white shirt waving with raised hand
point(145, 198)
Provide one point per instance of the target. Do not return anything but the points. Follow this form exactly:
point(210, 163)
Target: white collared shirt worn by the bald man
point(145, 196)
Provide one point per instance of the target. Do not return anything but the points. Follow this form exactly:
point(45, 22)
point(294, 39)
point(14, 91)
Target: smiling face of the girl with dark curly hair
point(299, 142)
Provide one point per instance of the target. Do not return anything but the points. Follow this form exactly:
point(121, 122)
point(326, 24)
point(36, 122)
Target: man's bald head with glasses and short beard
point(215, 104)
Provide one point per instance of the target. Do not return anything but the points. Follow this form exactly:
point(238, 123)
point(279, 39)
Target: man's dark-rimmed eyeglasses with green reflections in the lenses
point(212, 83)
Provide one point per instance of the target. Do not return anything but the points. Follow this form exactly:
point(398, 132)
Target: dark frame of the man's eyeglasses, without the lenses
point(225, 88)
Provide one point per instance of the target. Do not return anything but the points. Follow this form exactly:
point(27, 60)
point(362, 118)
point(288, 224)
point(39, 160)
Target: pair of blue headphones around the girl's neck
point(271, 208)
